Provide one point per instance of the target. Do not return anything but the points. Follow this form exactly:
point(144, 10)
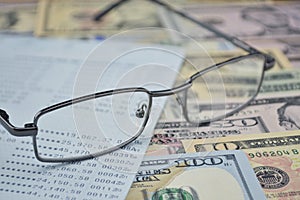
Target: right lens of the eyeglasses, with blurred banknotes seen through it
point(224, 88)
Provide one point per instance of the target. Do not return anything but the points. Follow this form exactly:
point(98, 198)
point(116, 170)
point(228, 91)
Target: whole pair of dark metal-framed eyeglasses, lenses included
point(122, 114)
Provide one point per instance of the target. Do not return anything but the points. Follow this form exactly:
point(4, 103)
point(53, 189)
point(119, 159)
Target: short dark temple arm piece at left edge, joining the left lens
point(29, 129)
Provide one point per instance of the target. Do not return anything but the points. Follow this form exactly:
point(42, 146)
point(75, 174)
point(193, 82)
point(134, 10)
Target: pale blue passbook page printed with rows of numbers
point(38, 73)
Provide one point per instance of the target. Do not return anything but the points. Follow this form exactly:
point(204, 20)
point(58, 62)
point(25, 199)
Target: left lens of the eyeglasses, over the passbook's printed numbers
point(92, 127)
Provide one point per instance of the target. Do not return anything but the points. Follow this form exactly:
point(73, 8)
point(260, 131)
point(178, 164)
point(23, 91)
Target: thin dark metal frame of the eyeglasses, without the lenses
point(31, 129)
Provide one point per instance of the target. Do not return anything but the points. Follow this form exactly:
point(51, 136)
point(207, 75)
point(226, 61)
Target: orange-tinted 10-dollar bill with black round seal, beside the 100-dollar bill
point(273, 156)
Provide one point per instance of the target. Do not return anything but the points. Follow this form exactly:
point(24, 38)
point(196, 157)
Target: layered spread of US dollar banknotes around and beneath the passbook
point(254, 154)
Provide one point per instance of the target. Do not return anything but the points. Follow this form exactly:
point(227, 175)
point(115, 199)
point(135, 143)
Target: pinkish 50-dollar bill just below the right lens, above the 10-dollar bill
point(277, 114)
